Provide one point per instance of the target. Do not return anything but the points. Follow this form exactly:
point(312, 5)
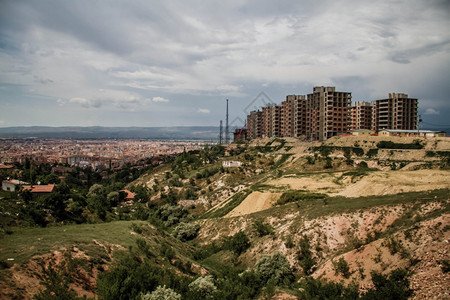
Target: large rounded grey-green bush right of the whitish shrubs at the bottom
point(274, 268)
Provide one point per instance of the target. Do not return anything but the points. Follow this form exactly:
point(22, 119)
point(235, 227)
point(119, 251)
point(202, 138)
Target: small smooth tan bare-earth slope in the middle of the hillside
point(254, 202)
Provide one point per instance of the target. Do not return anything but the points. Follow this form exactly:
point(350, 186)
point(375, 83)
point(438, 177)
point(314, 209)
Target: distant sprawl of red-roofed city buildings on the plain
point(96, 154)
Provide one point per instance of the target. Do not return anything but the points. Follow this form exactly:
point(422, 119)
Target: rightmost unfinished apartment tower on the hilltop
point(396, 112)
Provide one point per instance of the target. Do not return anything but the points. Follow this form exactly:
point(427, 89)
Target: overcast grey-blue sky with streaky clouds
point(167, 63)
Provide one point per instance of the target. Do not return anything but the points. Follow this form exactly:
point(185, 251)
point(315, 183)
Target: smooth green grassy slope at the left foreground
point(23, 243)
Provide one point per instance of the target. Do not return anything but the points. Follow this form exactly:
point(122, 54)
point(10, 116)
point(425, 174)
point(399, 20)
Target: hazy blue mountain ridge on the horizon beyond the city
point(100, 132)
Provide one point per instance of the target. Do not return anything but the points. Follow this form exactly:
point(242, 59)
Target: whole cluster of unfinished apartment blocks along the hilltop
point(326, 113)
